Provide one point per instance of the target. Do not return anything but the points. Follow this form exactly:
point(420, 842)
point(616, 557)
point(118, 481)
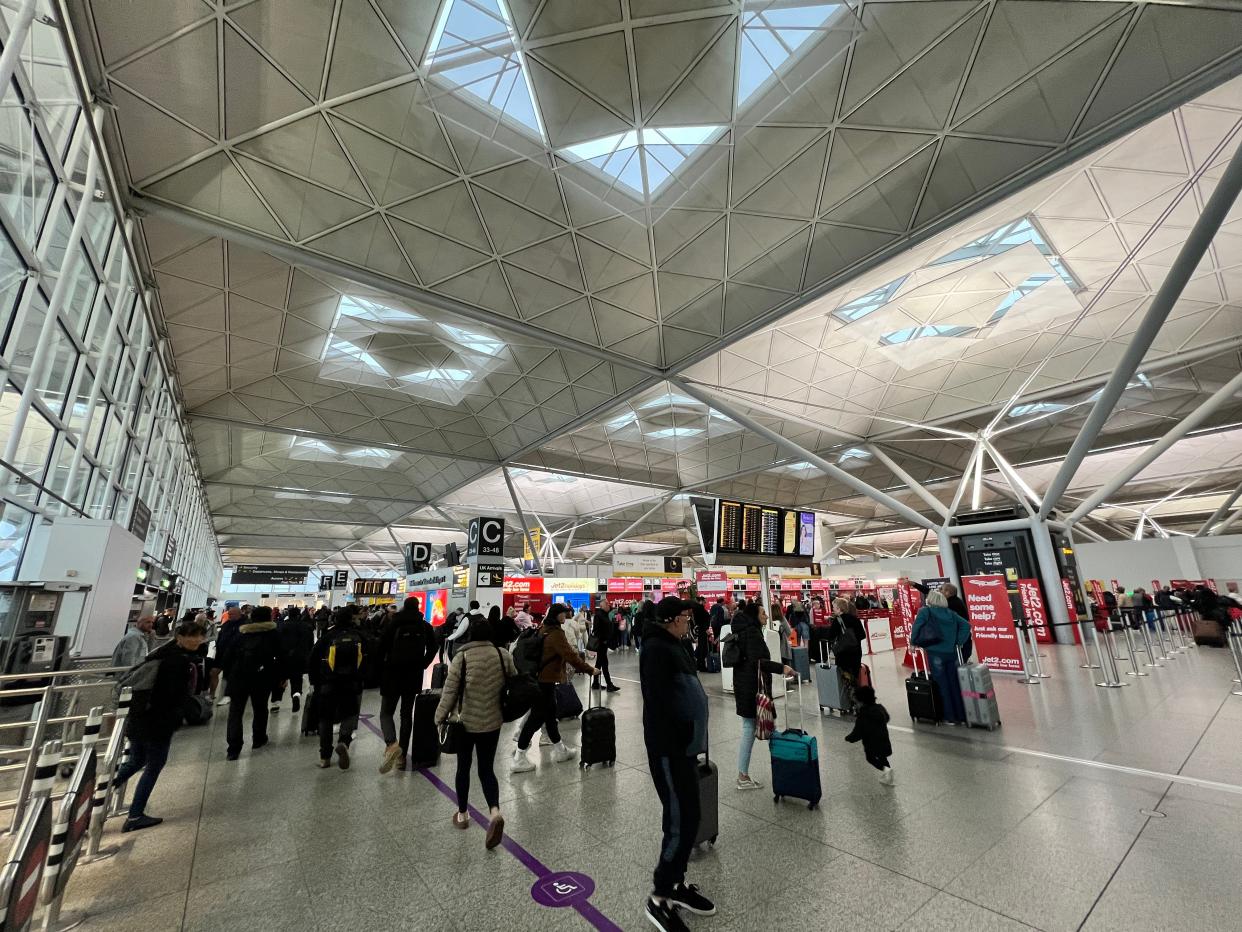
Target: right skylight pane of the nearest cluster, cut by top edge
point(773, 35)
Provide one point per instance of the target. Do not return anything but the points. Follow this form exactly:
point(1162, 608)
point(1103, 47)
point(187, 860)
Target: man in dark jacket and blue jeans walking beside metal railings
point(155, 715)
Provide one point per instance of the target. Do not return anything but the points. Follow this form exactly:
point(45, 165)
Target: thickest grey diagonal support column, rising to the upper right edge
point(1189, 258)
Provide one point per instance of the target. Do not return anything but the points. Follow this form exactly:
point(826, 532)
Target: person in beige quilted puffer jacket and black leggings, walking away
point(473, 698)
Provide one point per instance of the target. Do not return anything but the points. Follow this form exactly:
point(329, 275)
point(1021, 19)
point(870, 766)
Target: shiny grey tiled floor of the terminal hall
point(979, 833)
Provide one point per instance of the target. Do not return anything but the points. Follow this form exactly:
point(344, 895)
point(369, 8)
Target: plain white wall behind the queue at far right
point(1136, 564)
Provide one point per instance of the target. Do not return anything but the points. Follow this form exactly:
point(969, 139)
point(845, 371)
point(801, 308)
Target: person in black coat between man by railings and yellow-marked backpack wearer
point(254, 669)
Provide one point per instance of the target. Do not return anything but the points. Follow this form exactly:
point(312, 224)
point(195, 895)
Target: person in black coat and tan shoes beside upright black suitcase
point(407, 649)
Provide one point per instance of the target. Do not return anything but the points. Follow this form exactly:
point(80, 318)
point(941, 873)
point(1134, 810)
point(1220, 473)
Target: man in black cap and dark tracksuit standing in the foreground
point(675, 731)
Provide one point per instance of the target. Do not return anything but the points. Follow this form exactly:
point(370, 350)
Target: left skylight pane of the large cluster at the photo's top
point(474, 47)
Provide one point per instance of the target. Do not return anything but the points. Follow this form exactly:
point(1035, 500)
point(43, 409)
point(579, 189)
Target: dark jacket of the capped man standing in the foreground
point(675, 709)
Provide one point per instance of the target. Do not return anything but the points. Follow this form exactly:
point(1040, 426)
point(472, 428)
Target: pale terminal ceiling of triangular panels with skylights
point(403, 245)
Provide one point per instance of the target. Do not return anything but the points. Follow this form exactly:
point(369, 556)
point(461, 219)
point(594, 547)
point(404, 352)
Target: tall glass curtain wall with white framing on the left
point(90, 421)
